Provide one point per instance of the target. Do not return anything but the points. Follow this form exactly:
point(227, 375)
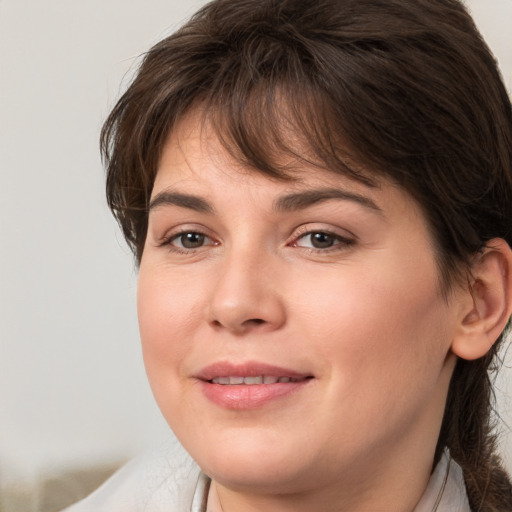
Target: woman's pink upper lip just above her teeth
point(248, 369)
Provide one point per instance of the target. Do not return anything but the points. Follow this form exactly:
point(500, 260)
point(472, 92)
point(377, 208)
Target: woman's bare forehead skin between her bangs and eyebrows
point(196, 150)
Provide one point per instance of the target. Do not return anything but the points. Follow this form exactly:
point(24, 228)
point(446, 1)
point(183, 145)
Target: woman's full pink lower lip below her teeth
point(243, 397)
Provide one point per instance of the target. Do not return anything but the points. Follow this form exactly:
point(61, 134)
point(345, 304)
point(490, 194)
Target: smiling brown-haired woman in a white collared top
point(319, 197)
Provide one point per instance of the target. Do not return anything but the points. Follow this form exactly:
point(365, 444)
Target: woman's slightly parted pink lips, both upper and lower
point(249, 385)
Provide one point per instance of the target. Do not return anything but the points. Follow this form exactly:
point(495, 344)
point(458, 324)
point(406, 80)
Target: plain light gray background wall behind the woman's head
point(72, 385)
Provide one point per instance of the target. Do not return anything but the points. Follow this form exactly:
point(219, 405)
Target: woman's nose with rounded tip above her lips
point(246, 296)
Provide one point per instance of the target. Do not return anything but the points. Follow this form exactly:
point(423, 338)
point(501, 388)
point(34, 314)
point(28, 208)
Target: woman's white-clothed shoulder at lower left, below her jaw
point(163, 480)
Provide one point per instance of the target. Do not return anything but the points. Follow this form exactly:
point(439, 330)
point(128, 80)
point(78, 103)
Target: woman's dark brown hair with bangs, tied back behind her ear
point(404, 89)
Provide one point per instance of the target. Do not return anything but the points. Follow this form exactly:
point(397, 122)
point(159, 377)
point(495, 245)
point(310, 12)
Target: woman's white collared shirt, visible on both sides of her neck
point(170, 481)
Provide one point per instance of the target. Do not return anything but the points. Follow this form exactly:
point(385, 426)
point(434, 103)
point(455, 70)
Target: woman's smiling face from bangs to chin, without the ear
point(293, 332)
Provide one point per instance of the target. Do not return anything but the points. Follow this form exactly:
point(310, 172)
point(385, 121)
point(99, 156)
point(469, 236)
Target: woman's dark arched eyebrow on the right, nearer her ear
point(302, 200)
